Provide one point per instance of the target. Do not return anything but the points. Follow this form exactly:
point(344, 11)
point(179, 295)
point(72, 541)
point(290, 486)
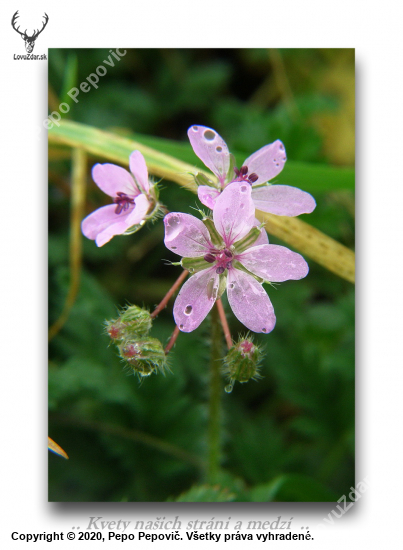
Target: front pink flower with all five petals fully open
point(222, 257)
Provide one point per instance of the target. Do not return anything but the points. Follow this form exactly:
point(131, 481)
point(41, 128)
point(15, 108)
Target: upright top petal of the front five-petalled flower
point(234, 212)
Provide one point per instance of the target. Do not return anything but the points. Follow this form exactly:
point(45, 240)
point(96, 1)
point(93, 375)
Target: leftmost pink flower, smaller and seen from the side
point(133, 198)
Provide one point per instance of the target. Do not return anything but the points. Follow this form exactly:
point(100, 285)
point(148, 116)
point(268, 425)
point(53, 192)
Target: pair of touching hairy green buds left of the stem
point(142, 353)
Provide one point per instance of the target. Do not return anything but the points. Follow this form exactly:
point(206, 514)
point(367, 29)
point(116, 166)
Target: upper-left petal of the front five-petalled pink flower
point(186, 235)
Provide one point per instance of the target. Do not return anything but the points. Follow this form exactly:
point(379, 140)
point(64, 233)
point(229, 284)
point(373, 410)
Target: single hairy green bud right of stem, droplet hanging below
point(242, 362)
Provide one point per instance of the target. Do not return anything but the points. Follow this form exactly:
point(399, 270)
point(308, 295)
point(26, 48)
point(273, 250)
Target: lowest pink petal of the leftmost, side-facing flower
point(104, 223)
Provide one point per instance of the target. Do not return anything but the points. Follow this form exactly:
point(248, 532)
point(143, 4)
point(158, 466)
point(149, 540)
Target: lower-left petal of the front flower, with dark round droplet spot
point(195, 299)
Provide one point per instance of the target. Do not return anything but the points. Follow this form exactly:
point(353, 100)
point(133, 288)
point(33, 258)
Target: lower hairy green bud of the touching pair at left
point(144, 356)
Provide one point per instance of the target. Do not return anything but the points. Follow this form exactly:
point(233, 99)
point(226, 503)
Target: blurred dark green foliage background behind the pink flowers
point(286, 437)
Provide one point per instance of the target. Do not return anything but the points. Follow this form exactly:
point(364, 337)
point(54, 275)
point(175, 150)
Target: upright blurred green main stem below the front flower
point(214, 428)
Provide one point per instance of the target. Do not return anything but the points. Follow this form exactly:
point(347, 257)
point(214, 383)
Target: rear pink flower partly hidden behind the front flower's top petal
point(259, 168)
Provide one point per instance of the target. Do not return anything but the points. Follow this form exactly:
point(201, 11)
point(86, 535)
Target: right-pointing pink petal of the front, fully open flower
point(274, 263)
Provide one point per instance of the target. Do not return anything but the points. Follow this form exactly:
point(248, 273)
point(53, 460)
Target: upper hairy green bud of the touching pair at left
point(132, 321)
